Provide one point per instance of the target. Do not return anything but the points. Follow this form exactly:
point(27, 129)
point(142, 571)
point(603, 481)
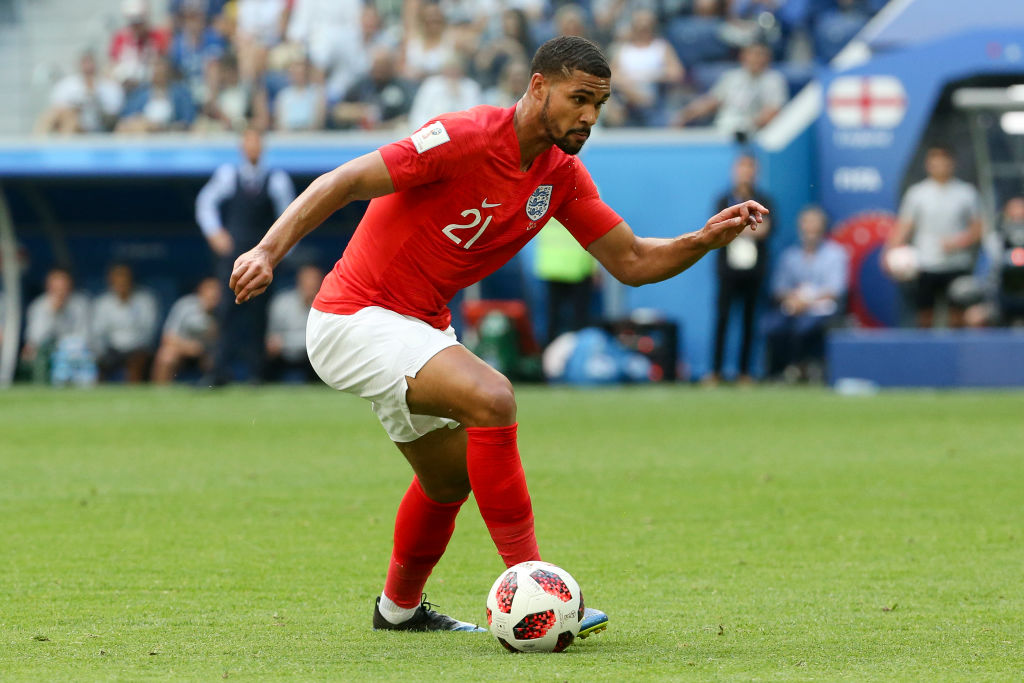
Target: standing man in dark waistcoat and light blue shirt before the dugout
point(234, 210)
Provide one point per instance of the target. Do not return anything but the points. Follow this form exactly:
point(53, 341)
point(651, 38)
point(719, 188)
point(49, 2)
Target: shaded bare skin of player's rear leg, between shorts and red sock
point(440, 462)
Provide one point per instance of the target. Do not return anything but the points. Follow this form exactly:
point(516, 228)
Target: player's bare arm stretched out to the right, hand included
point(634, 261)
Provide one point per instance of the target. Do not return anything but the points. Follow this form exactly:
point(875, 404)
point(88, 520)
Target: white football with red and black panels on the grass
point(535, 608)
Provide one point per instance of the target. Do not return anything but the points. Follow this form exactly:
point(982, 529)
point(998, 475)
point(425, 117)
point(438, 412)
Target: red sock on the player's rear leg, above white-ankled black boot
point(422, 530)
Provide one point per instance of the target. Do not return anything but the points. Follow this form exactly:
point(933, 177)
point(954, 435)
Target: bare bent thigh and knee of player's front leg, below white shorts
point(457, 385)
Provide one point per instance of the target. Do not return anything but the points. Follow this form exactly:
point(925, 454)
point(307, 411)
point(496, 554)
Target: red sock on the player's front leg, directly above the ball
point(500, 487)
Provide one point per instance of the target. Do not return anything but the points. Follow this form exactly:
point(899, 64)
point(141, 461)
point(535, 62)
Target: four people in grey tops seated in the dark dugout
point(123, 334)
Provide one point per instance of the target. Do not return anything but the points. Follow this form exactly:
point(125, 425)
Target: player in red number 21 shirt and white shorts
point(450, 205)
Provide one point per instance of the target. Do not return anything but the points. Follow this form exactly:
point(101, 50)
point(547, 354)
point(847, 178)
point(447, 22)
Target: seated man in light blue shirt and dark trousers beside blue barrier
point(809, 287)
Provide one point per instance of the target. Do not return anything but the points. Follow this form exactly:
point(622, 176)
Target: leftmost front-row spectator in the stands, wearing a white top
point(82, 103)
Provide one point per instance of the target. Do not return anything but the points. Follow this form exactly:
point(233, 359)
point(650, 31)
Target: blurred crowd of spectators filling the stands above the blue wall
point(319, 65)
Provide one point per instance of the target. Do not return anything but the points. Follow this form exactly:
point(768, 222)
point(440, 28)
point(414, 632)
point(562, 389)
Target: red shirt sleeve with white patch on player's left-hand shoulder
point(442, 149)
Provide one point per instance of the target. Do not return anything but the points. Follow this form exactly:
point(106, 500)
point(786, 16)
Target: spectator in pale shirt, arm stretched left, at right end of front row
point(746, 99)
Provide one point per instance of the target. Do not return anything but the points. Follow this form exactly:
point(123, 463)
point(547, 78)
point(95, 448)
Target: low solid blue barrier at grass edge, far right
point(938, 359)
